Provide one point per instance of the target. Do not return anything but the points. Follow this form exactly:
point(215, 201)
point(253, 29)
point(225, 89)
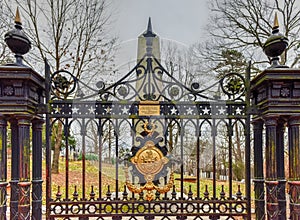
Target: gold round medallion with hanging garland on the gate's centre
point(149, 161)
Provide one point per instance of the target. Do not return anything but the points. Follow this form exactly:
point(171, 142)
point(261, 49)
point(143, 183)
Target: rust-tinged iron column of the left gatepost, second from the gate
point(24, 167)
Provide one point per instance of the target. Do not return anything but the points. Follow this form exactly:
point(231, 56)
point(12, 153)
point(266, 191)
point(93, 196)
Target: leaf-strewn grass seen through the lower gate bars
point(109, 180)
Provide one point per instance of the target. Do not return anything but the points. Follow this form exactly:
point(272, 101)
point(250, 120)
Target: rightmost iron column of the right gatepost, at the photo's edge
point(294, 167)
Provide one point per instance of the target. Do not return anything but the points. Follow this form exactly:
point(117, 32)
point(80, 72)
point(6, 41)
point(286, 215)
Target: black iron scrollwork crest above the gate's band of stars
point(155, 83)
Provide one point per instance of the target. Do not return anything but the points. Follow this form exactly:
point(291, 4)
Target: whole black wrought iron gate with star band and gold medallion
point(162, 150)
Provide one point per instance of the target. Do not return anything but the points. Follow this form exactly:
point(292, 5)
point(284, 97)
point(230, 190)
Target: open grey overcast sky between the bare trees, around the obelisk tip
point(181, 21)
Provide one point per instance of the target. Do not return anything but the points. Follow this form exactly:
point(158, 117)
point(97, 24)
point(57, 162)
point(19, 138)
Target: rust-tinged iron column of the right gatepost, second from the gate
point(271, 168)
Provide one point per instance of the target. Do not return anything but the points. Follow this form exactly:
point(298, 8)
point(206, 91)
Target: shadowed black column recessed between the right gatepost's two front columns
point(280, 170)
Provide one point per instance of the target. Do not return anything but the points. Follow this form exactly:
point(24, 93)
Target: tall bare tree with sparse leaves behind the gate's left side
point(72, 35)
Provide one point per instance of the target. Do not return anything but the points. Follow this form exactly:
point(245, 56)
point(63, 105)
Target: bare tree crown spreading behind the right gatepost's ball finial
point(244, 25)
